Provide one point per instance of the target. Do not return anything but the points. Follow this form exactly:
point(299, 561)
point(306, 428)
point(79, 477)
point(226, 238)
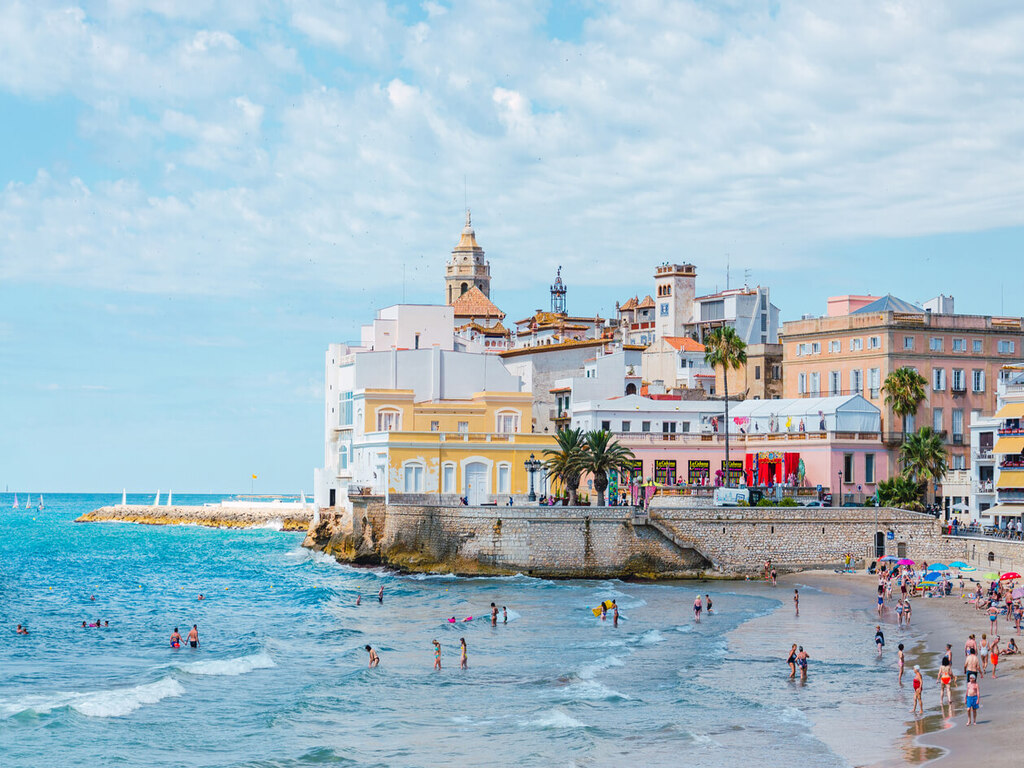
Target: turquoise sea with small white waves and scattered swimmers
point(281, 678)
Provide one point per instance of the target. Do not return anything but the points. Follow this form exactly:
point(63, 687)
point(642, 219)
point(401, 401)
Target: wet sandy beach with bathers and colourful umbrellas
point(941, 737)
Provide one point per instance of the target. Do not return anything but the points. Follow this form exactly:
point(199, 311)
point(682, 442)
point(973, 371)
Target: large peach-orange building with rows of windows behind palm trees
point(865, 338)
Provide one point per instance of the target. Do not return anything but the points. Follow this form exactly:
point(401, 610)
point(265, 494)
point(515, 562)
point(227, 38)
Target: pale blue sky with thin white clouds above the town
point(196, 199)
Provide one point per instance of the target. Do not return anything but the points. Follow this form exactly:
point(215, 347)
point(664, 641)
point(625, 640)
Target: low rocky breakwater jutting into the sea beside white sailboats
point(215, 517)
